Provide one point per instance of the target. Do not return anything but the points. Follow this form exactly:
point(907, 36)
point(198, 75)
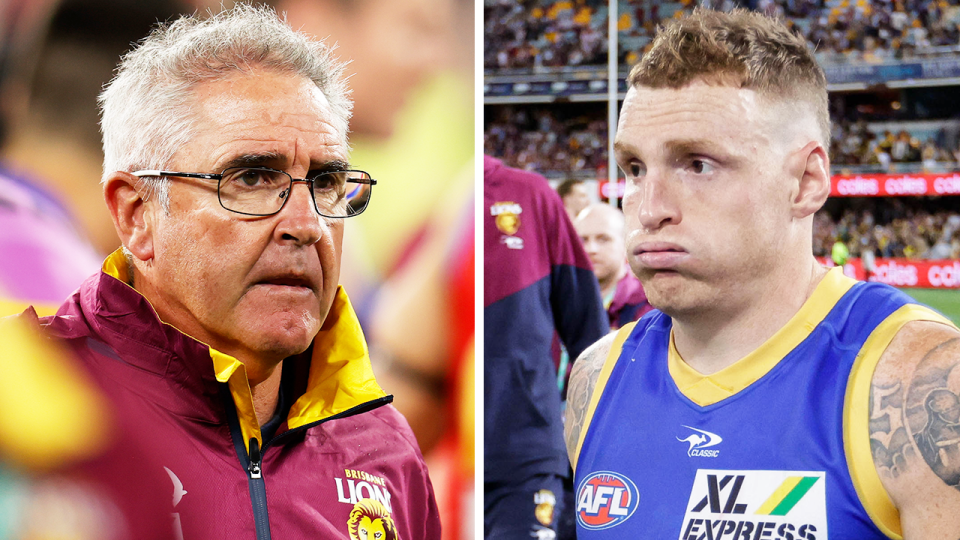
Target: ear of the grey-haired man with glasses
point(131, 214)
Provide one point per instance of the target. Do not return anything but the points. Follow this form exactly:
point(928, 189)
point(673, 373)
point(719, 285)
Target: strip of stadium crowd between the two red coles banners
point(912, 228)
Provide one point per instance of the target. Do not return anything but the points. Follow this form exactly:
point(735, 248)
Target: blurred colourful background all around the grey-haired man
point(408, 261)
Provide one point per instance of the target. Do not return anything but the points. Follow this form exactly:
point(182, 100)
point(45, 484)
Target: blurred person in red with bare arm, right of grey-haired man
point(422, 331)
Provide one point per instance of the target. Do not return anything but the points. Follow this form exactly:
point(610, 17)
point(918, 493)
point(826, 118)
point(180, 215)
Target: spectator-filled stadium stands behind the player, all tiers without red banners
point(893, 68)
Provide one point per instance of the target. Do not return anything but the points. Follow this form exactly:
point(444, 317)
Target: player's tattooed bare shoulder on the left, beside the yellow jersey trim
point(583, 378)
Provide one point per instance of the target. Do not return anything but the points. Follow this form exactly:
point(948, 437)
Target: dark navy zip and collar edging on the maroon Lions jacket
point(251, 455)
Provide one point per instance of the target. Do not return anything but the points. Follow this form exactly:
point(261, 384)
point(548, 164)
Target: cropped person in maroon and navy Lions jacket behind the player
point(537, 281)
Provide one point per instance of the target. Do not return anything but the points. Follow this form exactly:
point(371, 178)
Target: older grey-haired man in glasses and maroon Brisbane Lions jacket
point(220, 325)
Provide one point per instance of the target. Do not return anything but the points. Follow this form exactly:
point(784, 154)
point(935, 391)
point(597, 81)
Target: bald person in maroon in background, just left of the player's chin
point(600, 227)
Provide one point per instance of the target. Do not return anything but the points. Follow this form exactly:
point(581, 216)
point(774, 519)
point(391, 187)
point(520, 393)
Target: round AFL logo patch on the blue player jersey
point(605, 499)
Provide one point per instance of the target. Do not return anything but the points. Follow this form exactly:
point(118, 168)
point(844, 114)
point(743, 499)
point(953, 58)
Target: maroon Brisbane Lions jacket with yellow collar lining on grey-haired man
point(343, 452)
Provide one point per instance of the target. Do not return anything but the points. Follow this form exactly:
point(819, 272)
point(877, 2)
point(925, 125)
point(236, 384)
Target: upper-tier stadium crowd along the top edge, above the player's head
point(554, 33)
